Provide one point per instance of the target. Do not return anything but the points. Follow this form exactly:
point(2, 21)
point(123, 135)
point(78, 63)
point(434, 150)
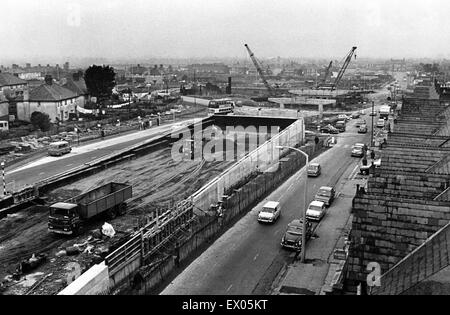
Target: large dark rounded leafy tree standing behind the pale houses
point(100, 80)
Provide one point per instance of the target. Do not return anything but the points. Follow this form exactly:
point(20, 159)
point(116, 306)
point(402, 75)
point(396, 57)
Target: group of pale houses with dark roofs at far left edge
point(18, 100)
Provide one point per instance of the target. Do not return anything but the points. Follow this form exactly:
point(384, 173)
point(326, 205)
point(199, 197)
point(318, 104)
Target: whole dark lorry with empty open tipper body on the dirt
point(68, 217)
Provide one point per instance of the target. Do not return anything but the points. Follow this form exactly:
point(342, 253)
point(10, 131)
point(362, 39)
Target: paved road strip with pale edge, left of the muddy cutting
point(32, 172)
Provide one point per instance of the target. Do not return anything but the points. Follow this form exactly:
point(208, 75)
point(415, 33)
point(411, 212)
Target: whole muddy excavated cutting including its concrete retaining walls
point(159, 185)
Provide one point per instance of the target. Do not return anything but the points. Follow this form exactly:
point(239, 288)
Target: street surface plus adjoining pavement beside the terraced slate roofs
point(248, 258)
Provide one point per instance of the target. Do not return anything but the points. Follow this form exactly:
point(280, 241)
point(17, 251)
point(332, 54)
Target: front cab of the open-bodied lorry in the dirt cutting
point(64, 218)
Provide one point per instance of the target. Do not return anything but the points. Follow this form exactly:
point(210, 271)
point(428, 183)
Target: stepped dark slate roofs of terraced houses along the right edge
point(401, 220)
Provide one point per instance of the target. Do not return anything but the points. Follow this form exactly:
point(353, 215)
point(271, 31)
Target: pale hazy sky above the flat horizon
point(208, 28)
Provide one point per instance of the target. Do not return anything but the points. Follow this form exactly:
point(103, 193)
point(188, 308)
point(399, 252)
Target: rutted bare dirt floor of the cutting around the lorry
point(158, 182)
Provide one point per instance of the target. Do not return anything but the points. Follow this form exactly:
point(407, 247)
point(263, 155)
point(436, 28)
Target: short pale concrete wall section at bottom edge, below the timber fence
point(93, 282)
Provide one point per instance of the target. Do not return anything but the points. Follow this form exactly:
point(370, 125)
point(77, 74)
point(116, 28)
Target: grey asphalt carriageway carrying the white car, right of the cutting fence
point(248, 257)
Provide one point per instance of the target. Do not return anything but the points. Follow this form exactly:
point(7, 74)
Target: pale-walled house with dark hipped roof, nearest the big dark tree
point(57, 101)
